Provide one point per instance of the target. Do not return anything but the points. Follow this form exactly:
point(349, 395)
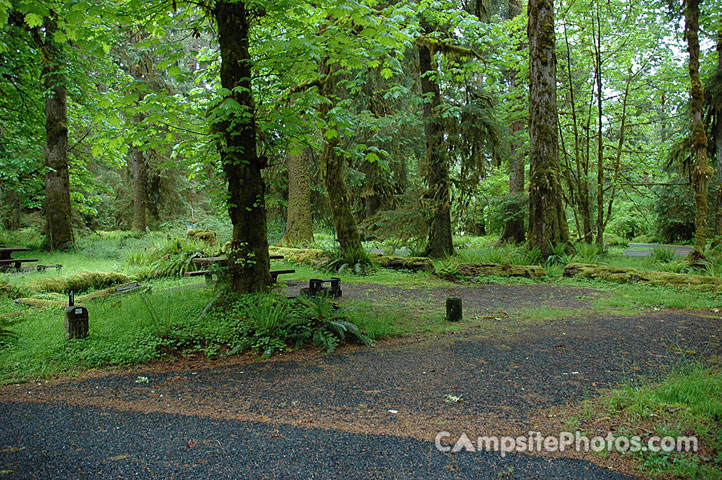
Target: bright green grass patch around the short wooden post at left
point(121, 333)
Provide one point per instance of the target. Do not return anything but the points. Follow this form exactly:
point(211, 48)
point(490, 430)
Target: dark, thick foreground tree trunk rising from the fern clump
point(248, 257)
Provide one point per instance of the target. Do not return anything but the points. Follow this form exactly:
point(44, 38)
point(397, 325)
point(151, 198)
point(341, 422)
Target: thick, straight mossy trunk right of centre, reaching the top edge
point(547, 217)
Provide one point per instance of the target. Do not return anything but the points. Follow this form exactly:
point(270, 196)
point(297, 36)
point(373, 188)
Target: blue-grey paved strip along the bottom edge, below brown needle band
point(63, 442)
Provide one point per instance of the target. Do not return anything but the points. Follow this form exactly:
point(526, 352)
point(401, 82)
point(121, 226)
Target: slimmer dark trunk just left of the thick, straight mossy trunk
point(514, 230)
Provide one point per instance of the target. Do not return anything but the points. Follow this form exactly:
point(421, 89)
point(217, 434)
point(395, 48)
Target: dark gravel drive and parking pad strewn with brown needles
point(357, 413)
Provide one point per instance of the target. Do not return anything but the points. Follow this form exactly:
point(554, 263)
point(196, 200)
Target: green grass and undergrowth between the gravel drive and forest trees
point(141, 328)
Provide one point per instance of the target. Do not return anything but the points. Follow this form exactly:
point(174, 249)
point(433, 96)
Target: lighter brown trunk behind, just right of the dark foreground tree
point(299, 223)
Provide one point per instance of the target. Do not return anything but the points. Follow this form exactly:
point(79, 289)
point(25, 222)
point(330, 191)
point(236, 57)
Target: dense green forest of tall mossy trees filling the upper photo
point(404, 123)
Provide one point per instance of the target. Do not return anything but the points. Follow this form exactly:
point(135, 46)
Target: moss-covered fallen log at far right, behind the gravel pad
point(632, 275)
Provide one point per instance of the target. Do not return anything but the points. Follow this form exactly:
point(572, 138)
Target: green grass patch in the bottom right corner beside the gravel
point(688, 402)
